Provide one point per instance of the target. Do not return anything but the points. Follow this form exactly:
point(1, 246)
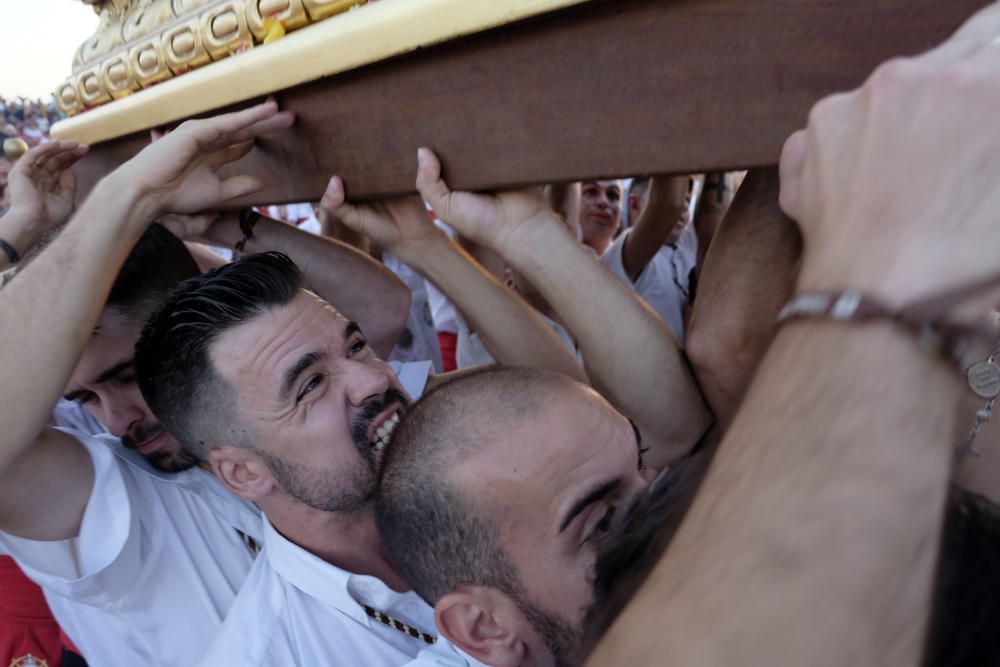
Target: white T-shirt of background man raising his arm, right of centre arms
point(655, 284)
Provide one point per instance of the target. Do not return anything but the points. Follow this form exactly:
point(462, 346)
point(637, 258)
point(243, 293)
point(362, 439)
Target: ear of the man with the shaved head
point(484, 623)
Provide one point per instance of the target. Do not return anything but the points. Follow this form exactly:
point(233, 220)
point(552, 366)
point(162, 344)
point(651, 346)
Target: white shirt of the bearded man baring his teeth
point(296, 609)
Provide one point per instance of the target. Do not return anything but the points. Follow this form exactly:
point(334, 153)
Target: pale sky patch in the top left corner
point(38, 43)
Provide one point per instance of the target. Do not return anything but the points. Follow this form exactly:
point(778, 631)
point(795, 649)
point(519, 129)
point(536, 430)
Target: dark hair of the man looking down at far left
point(156, 265)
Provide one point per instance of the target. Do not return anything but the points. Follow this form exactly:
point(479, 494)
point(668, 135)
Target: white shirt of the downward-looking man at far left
point(155, 568)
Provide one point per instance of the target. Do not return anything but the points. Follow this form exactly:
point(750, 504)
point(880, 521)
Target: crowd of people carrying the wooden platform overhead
point(695, 420)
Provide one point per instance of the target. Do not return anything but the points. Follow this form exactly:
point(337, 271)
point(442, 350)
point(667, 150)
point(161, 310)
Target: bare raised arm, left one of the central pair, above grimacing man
point(513, 331)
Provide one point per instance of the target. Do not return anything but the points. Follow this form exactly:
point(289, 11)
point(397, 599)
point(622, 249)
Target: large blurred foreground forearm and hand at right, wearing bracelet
point(814, 537)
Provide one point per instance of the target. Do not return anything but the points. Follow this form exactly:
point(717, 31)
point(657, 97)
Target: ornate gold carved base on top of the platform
point(139, 43)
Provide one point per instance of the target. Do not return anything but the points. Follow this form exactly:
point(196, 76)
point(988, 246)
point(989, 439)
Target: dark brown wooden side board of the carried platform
point(609, 88)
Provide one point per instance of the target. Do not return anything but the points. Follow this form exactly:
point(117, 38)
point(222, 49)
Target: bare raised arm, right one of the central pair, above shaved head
point(630, 354)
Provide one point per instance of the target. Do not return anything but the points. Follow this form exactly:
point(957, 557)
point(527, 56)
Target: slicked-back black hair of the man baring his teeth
point(172, 362)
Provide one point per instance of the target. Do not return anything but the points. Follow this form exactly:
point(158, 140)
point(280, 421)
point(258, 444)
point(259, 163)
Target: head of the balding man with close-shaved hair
point(494, 514)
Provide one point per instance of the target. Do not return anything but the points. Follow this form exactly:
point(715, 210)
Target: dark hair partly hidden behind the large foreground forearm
point(965, 612)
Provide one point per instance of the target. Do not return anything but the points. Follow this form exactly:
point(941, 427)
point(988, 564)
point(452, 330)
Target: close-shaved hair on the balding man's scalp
point(436, 535)
